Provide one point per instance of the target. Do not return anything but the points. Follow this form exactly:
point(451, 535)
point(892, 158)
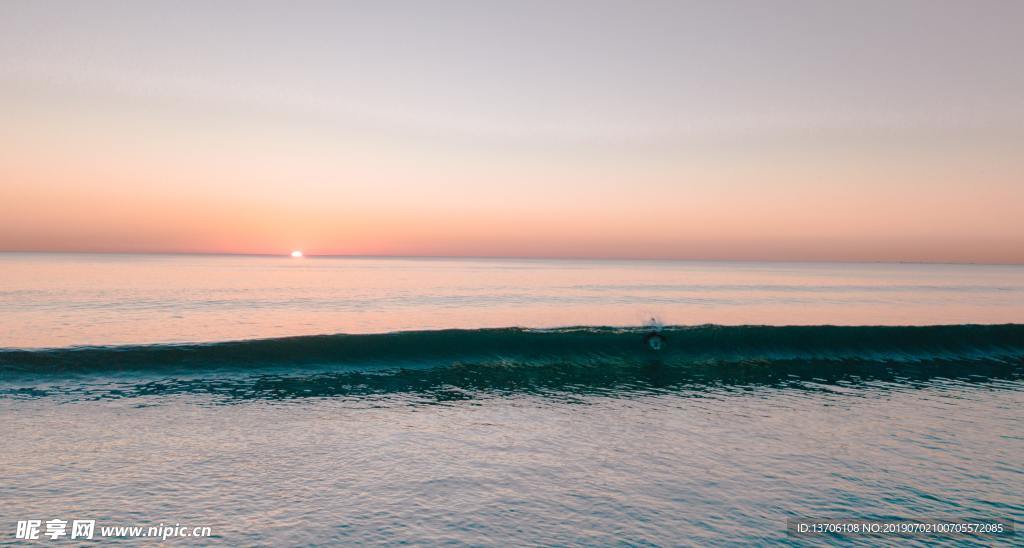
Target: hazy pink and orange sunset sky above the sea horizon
point(753, 131)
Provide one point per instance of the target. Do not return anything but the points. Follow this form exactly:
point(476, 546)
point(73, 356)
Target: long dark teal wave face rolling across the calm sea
point(701, 345)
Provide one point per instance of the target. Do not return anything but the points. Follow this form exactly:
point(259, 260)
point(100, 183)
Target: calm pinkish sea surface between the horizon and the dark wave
point(63, 301)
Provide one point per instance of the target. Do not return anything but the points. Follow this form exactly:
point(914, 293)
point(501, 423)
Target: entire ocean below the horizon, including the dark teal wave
point(480, 402)
